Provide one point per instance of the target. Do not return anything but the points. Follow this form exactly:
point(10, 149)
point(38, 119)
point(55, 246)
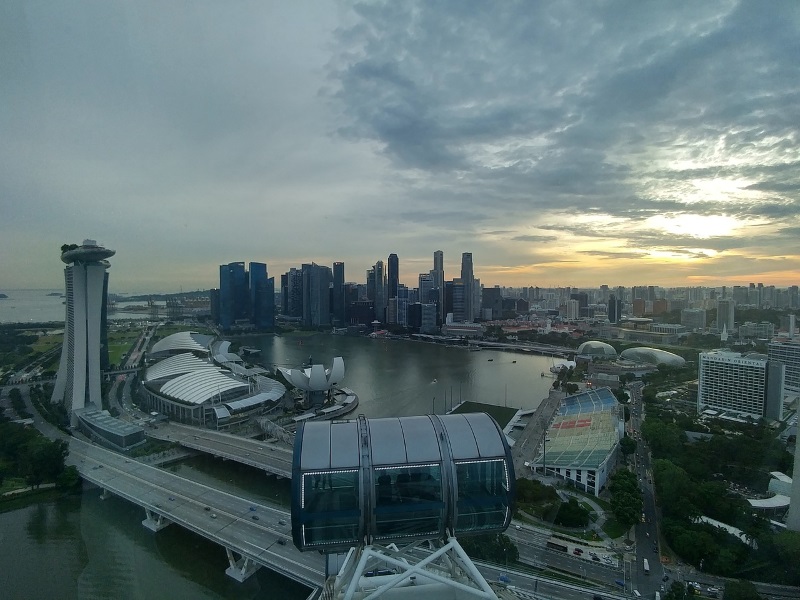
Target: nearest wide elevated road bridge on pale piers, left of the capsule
point(260, 535)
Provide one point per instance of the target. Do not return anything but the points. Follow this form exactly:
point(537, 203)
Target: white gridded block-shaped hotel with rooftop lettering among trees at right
point(747, 385)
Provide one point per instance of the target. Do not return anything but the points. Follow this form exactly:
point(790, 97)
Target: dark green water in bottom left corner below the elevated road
point(90, 548)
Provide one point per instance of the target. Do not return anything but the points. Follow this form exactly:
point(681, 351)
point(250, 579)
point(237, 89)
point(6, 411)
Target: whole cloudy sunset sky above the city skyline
point(566, 143)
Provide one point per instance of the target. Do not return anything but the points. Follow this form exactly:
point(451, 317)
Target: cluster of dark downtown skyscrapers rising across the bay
point(319, 296)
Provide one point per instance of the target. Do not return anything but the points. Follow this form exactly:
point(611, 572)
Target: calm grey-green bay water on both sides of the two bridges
point(97, 549)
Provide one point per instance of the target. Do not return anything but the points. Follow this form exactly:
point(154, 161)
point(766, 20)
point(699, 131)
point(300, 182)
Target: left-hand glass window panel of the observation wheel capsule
point(331, 511)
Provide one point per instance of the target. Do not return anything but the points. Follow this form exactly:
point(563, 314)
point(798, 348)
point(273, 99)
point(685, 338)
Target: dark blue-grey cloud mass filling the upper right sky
point(561, 102)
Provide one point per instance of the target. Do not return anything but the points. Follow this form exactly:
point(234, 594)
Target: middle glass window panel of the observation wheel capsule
point(408, 501)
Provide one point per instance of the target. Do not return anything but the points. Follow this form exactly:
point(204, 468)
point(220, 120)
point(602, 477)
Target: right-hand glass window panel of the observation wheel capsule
point(483, 498)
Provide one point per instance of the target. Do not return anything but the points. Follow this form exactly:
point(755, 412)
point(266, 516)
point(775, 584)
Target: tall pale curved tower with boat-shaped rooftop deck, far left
point(86, 291)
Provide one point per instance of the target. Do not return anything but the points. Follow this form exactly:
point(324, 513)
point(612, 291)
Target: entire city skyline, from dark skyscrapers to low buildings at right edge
point(320, 296)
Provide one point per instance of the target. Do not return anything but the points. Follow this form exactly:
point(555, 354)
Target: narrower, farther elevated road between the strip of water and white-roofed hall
point(272, 457)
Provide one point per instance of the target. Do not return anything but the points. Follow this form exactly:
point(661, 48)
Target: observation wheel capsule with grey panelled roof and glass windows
point(382, 480)
